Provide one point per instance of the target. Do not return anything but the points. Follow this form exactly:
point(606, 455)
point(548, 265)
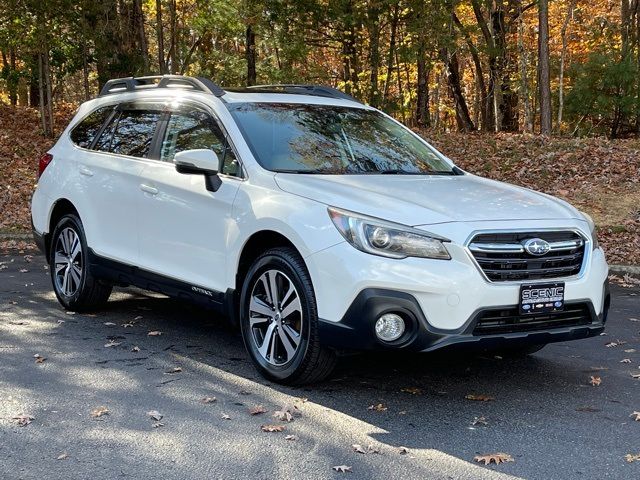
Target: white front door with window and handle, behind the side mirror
point(183, 226)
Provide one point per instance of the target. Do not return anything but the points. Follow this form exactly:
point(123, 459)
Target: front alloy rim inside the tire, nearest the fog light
point(275, 317)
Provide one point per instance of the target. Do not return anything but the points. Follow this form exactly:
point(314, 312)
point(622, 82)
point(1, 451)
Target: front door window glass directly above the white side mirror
point(197, 130)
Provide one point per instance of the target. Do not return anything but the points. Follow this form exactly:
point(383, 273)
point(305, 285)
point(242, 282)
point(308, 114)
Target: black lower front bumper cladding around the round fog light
point(356, 329)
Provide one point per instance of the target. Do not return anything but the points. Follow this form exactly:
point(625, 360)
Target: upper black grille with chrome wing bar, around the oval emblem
point(502, 256)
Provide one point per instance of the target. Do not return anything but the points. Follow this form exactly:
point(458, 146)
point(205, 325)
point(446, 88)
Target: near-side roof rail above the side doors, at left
point(130, 84)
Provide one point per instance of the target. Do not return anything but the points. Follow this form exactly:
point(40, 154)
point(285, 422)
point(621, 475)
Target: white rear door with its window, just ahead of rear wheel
point(109, 178)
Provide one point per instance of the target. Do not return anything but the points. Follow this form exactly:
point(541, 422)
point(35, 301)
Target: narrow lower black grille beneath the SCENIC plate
point(509, 320)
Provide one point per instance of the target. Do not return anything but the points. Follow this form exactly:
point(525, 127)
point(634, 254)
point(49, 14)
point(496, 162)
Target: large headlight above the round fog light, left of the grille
point(387, 239)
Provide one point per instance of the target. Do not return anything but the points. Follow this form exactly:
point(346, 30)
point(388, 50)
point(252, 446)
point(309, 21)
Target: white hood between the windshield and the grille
point(427, 199)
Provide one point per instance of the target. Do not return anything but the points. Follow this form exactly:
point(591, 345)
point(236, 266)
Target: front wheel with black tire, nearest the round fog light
point(281, 337)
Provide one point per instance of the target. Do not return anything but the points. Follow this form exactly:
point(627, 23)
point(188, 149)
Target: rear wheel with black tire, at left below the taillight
point(74, 284)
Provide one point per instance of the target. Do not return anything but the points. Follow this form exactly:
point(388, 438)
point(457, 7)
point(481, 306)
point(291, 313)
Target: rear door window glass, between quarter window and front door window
point(130, 134)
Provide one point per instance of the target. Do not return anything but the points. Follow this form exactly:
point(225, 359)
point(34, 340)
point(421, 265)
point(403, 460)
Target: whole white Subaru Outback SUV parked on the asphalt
point(315, 222)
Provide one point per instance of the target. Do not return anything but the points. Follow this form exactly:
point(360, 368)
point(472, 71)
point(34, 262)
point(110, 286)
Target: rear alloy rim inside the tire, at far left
point(68, 262)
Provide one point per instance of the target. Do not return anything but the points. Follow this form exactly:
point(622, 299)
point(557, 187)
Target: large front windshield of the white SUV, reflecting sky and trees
point(326, 139)
